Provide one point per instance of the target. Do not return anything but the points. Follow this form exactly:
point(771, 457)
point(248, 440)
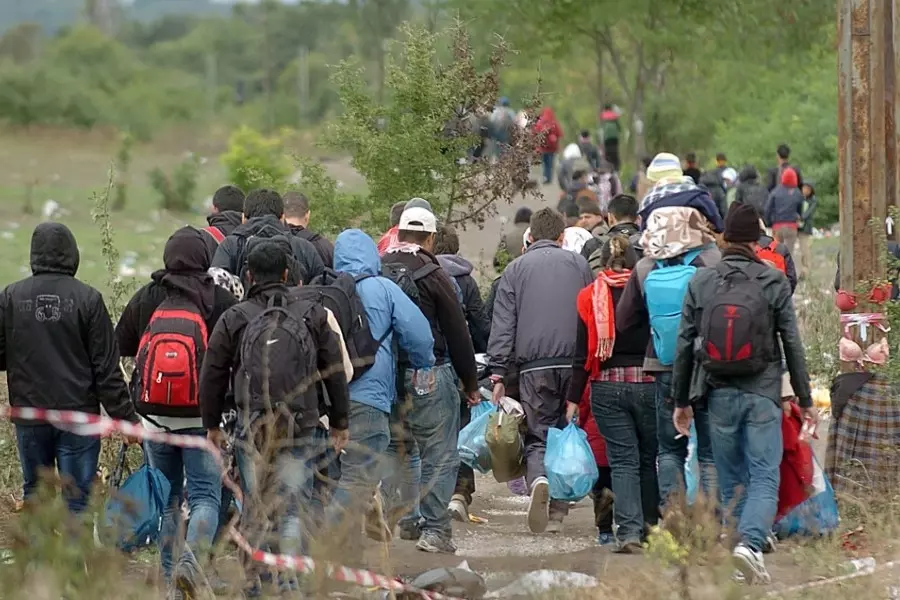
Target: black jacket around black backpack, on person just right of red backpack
point(223, 359)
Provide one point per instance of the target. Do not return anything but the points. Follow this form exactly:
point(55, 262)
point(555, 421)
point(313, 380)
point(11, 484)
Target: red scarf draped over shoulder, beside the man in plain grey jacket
point(597, 309)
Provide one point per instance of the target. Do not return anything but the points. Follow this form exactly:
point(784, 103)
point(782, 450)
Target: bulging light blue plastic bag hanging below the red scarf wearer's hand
point(569, 462)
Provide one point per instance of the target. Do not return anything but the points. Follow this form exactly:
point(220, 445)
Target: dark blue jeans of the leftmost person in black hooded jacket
point(45, 447)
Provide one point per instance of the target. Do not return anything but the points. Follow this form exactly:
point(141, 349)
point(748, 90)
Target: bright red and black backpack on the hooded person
point(167, 367)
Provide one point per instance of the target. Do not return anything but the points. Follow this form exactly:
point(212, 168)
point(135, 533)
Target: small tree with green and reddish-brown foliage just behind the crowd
point(415, 143)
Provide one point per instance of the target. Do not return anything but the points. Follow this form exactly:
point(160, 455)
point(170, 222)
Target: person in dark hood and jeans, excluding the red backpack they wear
point(184, 276)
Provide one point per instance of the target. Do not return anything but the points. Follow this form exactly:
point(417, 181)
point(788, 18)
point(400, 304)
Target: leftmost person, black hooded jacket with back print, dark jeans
point(59, 352)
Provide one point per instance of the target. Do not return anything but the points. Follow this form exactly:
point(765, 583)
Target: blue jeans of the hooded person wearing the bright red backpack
point(204, 495)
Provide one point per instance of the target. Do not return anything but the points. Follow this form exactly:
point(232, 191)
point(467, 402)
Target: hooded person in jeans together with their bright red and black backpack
point(166, 326)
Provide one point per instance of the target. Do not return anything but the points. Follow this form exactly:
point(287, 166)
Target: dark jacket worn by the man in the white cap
point(439, 304)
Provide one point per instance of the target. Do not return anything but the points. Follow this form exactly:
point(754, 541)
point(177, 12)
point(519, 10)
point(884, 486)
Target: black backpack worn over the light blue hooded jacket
point(337, 292)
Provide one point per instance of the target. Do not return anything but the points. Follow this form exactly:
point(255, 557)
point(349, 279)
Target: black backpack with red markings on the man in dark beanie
point(736, 329)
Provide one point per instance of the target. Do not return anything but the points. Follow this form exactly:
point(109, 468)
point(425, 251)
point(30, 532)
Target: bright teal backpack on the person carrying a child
point(664, 291)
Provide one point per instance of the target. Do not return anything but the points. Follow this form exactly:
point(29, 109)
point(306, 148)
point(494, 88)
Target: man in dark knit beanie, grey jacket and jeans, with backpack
point(735, 320)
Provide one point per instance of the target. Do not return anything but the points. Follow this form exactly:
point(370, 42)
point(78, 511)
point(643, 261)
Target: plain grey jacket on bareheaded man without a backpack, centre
point(539, 290)
